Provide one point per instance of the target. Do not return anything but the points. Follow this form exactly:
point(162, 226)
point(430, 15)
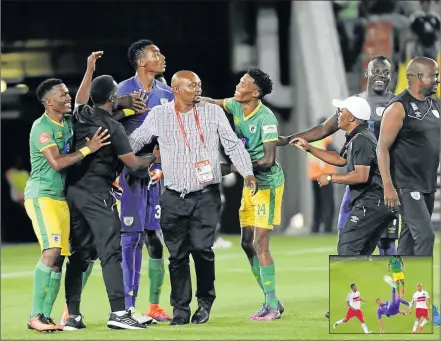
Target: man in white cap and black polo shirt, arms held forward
point(369, 217)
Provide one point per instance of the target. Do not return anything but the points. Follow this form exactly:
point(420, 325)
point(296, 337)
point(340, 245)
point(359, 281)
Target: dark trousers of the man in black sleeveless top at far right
point(417, 236)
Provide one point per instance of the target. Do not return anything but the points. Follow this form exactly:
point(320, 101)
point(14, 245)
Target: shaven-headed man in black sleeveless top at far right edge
point(408, 156)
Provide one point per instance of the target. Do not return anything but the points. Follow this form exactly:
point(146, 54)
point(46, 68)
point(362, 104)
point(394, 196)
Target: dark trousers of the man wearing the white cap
point(367, 222)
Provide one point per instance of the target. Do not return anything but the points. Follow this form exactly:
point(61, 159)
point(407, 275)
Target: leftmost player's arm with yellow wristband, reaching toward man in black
point(46, 144)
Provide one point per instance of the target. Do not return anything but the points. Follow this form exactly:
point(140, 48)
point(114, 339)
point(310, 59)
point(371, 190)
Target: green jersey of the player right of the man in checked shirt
point(258, 127)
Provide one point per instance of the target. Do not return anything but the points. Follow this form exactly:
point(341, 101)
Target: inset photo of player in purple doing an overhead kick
point(380, 295)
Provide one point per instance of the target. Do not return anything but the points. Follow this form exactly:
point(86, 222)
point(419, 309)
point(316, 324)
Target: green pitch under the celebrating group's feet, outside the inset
point(301, 283)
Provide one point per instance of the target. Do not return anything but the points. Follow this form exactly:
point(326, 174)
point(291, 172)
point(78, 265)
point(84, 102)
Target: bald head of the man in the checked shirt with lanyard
point(187, 87)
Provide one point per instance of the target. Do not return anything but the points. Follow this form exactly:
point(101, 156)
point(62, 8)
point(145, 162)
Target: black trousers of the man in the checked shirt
point(188, 225)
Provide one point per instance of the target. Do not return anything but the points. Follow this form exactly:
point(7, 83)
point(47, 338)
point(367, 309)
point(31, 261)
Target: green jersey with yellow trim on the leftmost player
point(44, 181)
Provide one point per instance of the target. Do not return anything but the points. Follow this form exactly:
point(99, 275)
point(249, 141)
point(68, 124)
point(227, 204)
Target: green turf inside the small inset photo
point(368, 276)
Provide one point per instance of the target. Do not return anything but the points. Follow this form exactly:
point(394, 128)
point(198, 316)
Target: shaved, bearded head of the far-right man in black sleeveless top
point(423, 76)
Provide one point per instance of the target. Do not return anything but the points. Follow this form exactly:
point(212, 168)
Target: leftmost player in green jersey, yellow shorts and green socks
point(45, 203)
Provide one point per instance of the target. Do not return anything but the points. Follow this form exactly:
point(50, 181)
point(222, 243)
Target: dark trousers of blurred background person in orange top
point(324, 207)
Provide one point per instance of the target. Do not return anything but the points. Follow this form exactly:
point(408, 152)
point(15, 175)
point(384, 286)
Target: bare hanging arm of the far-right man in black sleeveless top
point(391, 124)
